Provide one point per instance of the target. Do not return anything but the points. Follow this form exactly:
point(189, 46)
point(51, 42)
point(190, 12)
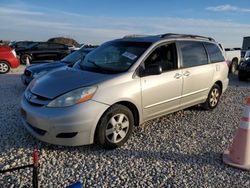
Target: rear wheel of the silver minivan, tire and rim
point(213, 98)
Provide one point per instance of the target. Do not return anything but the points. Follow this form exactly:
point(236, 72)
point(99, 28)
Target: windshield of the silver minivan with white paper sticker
point(114, 57)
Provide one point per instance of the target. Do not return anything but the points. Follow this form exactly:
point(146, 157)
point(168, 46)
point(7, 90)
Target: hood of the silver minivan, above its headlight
point(61, 81)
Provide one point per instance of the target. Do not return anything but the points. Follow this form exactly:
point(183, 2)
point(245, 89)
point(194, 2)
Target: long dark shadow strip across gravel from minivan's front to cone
point(211, 158)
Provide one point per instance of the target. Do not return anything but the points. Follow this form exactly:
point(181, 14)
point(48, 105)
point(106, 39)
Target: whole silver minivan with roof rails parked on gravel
point(122, 84)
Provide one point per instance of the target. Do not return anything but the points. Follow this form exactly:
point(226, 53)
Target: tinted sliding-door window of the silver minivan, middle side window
point(193, 54)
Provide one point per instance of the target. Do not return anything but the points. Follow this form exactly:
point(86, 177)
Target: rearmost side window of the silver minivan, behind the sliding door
point(214, 52)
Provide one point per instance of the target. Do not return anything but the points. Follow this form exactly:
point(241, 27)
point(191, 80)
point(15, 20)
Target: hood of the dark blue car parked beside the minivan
point(45, 66)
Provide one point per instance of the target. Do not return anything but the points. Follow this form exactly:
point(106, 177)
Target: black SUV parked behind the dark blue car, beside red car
point(42, 51)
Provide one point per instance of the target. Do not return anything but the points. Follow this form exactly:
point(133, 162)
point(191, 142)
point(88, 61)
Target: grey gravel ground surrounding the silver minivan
point(183, 149)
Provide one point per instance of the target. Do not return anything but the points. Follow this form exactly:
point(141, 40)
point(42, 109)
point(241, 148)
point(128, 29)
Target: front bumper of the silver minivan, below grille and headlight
point(48, 124)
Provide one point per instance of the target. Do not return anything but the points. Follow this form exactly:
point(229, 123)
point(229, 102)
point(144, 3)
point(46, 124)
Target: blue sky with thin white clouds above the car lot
point(97, 21)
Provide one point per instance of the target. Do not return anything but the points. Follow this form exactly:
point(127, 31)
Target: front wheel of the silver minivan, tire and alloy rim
point(114, 127)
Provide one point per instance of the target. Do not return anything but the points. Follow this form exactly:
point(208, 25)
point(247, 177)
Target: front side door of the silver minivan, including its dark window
point(161, 93)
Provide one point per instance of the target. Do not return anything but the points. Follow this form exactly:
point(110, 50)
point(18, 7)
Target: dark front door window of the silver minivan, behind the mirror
point(165, 56)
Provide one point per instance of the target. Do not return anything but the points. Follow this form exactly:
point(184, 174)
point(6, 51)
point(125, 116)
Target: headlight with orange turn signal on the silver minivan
point(74, 97)
